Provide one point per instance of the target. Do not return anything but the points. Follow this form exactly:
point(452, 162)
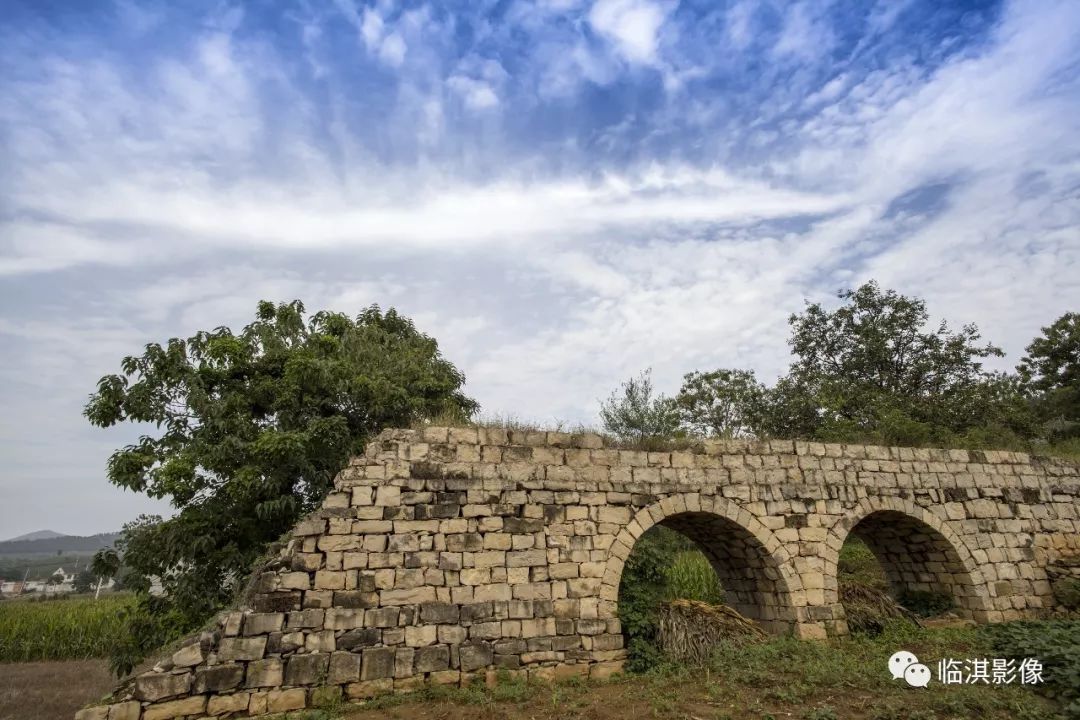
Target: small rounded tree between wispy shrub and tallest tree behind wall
point(722, 404)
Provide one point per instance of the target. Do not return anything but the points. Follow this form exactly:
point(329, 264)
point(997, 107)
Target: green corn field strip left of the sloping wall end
point(60, 630)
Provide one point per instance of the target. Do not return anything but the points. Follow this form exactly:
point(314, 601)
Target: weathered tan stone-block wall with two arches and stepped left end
point(447, 554)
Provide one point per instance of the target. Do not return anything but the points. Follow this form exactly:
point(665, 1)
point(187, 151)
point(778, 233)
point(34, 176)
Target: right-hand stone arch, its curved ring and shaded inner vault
point(920, 556)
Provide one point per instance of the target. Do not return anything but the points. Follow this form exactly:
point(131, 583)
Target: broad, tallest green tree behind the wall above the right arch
point(873, 370)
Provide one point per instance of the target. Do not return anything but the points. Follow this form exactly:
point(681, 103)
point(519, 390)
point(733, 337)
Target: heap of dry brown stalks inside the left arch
point(691, 631)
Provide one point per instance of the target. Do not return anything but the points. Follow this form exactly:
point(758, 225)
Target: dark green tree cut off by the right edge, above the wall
point(1051, 374)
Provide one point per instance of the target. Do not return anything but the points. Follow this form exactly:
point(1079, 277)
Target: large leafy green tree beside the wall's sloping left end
point(252, 429)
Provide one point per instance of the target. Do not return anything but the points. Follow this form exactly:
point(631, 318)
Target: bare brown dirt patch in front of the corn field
point(51, 691)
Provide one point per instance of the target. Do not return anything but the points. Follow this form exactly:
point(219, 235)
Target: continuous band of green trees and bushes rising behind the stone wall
point(873, 371)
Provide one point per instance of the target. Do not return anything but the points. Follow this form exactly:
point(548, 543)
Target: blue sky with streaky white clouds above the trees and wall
point(563, 193)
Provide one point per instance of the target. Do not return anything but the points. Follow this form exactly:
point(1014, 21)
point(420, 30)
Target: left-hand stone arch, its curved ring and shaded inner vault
point(752, 566)
